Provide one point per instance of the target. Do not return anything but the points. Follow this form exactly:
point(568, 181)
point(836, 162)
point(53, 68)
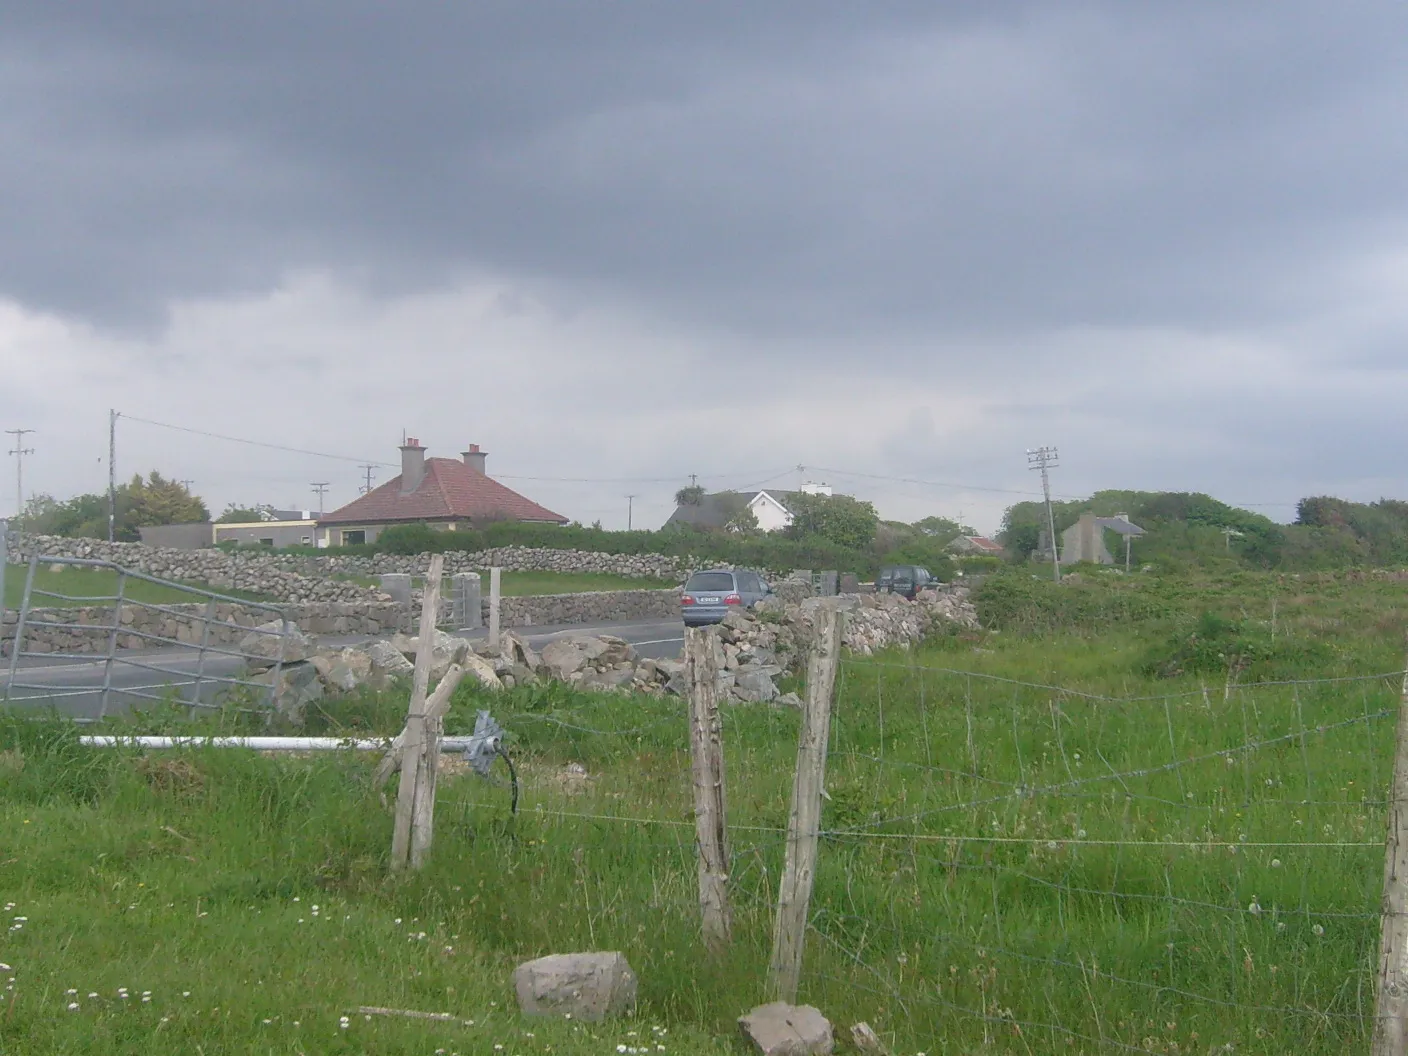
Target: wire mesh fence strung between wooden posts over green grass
point(1023, 867)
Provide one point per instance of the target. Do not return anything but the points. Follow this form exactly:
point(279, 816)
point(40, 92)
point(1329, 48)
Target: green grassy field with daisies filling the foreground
point(1175, 853)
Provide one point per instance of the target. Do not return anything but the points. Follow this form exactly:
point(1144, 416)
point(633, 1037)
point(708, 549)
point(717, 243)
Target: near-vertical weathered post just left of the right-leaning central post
point(703, 661)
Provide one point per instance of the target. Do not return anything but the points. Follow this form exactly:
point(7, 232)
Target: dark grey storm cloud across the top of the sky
point(782, 168)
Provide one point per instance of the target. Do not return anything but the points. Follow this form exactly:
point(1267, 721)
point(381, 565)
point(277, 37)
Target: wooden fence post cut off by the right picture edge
point(1392, 991)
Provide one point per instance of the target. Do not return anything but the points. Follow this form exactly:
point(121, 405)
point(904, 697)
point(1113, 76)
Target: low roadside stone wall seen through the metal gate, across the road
point(184, 624)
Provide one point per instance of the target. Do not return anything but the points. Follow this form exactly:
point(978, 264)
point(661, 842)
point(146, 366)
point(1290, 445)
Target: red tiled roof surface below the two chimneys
point(450, 492)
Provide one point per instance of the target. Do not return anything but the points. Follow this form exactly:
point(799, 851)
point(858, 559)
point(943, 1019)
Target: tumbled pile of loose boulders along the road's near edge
point(754, 648)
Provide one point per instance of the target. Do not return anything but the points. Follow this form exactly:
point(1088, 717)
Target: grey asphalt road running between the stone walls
point(75, 686)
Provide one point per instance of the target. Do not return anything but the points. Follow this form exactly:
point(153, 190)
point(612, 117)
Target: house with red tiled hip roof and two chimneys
point(441, 494)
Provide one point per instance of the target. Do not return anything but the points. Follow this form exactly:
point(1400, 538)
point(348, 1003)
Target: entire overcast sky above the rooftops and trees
point(619, 244)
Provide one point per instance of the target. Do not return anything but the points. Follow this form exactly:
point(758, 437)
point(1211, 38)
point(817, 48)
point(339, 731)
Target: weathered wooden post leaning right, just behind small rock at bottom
point(805, 823)
